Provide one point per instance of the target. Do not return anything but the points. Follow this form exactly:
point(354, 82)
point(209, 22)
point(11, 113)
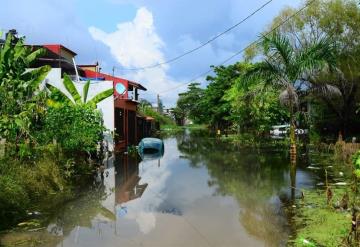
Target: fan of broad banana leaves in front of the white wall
point(58, 98)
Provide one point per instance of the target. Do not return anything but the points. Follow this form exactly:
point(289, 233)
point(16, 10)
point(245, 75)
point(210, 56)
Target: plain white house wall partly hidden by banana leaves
point(106, 107)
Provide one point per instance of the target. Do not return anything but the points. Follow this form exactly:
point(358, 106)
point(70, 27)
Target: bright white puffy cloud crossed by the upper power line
point(136, 44)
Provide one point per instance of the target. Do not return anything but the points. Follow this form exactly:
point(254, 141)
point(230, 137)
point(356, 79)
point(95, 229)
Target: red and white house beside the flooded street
point(126, 127)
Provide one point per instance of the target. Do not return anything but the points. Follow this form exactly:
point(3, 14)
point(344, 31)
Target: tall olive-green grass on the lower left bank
point(35, 186)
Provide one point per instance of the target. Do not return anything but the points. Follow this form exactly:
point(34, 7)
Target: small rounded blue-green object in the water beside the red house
point(151, 148)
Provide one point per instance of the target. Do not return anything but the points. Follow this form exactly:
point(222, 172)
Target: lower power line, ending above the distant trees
point(242, 50)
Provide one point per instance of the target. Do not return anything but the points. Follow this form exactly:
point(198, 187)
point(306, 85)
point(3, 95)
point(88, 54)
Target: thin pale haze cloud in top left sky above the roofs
point(54, 22)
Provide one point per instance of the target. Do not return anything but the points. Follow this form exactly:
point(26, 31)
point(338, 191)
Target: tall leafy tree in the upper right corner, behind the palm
point(338, 19)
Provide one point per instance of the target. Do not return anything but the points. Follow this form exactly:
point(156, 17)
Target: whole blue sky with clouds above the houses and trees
point(136, 33)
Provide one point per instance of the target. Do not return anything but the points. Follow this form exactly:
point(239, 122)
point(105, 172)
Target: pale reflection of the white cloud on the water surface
point(142, 209)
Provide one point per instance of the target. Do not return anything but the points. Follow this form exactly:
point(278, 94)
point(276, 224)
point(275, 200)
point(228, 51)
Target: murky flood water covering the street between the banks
point(202, 192)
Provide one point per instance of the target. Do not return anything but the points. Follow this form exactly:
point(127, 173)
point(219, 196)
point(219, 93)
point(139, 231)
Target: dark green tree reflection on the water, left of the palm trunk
point(253, 177)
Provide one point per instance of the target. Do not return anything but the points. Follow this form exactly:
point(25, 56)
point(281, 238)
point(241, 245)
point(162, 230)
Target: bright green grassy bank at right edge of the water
point(323, 217)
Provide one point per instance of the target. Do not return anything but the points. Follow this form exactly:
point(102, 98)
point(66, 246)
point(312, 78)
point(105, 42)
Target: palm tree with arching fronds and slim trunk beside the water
point(288, 66)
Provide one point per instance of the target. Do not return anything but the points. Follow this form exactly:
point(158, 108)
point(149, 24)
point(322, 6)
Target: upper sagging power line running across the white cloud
point(201, 45)
